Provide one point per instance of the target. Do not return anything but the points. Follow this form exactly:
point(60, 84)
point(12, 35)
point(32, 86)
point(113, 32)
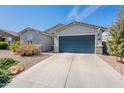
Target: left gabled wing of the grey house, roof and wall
point(37, 37)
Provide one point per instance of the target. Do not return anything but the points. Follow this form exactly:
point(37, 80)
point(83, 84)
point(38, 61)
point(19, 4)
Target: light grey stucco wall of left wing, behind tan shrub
point(45, 41)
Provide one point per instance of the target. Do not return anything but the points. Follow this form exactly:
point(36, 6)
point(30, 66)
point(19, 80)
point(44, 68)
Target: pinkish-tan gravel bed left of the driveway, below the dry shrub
point(26, 61)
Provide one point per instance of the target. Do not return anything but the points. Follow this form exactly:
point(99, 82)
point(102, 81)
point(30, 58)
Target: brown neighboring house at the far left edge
point(8, 35)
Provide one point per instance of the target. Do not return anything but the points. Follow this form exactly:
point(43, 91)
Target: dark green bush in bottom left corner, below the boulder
point(4, 77)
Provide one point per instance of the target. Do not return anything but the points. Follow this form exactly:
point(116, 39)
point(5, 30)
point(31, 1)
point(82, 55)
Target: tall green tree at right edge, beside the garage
point(116, 42)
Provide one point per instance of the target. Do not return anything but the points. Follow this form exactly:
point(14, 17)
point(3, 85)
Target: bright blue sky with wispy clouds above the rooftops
point(43, 17)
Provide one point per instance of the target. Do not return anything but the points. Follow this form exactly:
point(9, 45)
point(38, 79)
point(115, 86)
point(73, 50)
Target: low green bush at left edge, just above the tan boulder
point(6, 63)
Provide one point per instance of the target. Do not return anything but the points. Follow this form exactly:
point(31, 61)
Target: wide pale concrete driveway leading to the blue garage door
point(68, 70)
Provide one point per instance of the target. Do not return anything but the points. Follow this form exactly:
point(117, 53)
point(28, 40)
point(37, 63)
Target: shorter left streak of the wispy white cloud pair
point(73, 13)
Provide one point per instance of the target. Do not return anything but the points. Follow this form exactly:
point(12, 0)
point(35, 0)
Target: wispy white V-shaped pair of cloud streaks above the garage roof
point(75, 16)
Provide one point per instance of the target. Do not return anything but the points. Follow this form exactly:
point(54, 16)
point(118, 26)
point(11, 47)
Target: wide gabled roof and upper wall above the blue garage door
point(75, 26)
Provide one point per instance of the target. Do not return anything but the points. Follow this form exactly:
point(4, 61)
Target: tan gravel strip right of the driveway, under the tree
point(111, 60)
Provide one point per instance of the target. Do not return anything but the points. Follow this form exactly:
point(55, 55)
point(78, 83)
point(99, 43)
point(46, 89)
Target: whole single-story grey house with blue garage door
point(76, 37)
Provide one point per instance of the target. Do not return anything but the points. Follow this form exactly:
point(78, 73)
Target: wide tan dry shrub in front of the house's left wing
point(28, 50)
